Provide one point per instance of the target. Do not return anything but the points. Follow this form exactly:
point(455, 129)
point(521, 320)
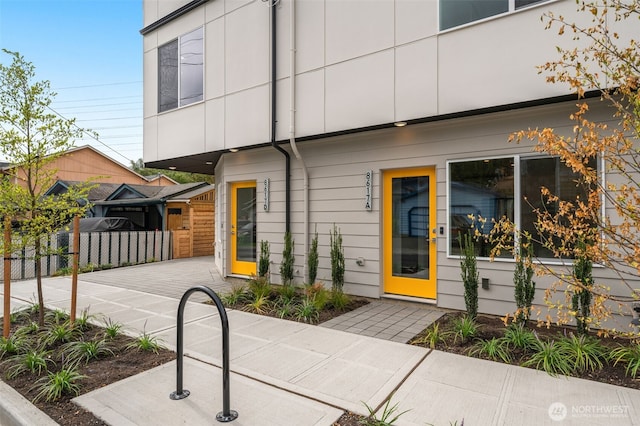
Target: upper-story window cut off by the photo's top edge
point(459, 12)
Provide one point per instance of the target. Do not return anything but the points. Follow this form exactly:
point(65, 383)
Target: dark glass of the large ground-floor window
point(510, 187)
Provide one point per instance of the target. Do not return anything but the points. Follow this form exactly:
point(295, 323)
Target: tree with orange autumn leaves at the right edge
point(605, 63)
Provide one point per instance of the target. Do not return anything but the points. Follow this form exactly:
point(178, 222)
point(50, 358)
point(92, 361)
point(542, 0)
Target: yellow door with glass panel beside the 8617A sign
point(409, 232)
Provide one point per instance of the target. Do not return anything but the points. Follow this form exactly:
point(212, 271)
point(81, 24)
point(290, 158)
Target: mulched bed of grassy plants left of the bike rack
point(50, 364)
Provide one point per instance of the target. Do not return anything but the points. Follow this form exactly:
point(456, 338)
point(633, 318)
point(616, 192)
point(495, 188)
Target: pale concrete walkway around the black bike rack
point(286, 373)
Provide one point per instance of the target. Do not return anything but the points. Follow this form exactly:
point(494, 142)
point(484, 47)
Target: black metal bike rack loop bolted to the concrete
point(226, 415)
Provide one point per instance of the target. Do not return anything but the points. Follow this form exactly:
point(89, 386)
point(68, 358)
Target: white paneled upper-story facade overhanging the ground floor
point(357, 64)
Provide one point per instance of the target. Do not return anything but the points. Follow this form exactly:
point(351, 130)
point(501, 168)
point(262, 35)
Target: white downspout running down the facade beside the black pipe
point(292, 133)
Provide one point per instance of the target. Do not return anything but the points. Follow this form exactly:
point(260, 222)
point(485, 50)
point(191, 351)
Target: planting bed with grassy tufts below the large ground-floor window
point(557, 349)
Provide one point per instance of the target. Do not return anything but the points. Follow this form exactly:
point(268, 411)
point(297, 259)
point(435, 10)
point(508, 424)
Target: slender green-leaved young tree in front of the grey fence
point(32, 136)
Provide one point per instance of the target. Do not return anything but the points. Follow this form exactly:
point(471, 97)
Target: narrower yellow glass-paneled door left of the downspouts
point(243, 228)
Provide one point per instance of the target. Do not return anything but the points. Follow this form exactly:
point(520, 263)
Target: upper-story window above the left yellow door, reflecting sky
point(180, 71)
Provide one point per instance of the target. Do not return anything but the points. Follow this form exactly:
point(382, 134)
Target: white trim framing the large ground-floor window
point(517, 209)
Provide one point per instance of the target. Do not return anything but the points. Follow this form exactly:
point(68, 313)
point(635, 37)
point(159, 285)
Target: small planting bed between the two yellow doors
point(311, 304)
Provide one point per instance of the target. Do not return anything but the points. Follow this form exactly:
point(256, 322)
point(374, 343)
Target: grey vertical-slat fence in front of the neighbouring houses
point(97, 249)
